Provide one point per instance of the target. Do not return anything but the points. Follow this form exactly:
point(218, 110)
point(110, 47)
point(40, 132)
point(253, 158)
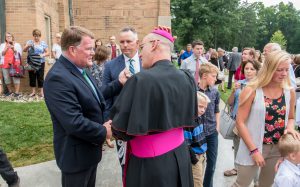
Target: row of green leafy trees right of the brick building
point(230, 23)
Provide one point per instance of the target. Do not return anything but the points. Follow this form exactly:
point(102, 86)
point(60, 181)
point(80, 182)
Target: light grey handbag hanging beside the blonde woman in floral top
point(227, 124)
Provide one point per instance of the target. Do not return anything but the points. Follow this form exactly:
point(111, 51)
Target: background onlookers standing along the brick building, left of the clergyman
point(37, 50)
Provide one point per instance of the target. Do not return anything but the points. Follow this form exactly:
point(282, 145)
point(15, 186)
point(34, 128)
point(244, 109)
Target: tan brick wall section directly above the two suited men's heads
point(106, 18)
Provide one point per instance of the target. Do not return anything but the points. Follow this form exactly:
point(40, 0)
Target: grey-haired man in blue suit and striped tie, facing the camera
point(129, 59)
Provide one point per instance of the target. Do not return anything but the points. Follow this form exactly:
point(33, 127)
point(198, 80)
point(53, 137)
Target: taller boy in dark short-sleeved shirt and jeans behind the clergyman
point(208, 76)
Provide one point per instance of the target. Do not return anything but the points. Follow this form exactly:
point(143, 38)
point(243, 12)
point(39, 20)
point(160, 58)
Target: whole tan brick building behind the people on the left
point(103, 17)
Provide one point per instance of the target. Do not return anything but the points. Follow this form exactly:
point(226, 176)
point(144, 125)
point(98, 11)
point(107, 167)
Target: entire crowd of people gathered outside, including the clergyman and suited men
point(166, 121)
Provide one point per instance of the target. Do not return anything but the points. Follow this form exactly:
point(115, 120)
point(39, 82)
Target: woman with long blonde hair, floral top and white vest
point(265, 113)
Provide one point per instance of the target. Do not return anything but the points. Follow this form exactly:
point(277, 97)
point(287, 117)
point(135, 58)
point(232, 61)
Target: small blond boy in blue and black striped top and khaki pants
point(195, 138)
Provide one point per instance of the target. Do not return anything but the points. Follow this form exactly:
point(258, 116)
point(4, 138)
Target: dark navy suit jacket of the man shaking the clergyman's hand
point(77, 117)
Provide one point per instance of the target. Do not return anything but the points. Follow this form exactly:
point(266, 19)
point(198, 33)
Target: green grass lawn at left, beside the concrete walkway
point(26, 132)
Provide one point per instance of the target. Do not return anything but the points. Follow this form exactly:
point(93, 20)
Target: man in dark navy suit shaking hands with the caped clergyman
point(76, 107)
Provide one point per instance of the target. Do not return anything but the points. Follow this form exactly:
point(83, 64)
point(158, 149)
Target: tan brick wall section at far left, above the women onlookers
point(22, 16)
